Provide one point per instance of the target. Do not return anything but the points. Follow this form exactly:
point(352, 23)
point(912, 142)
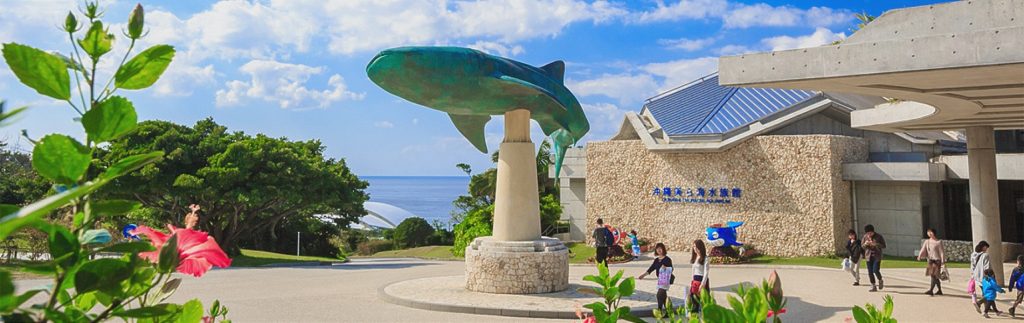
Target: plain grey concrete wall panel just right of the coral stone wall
point(895, 211)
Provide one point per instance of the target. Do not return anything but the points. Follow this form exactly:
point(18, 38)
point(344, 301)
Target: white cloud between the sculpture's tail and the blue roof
point(626, 89)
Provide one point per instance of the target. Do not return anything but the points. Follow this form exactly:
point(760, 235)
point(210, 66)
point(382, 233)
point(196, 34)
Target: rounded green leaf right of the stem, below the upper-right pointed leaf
point(112, 118)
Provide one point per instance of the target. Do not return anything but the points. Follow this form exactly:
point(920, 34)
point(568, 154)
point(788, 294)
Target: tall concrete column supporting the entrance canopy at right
point(985, 193)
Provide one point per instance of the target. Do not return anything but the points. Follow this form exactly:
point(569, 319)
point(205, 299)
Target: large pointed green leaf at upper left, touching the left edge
point(41, 71)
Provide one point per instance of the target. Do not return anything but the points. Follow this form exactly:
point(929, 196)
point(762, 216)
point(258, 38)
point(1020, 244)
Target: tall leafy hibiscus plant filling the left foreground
point(88, 288)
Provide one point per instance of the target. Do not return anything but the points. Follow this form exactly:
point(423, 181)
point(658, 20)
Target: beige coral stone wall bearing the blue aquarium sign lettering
point(794, 201)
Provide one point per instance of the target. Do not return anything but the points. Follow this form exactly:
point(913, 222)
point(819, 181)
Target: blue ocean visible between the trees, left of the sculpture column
point(428, 197)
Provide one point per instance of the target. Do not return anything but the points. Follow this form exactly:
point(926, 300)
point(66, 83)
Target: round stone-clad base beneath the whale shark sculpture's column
point(518, 267)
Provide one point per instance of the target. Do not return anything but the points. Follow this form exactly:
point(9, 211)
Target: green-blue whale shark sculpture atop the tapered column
point(472, 87)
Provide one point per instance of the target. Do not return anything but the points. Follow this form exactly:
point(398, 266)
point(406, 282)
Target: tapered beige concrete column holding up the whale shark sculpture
point(518, 210)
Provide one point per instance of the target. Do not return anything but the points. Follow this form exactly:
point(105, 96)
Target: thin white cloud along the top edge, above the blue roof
point(765, 15)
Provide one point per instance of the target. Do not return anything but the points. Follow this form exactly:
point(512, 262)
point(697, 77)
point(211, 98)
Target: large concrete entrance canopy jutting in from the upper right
point(954, 66)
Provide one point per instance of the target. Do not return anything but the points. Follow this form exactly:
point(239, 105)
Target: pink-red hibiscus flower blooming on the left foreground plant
point(198, 253)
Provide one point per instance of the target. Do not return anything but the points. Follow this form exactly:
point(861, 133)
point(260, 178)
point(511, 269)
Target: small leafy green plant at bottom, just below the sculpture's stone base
point(612, 289)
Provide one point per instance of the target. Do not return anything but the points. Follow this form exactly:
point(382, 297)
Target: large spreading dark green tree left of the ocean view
point(249, 186)
